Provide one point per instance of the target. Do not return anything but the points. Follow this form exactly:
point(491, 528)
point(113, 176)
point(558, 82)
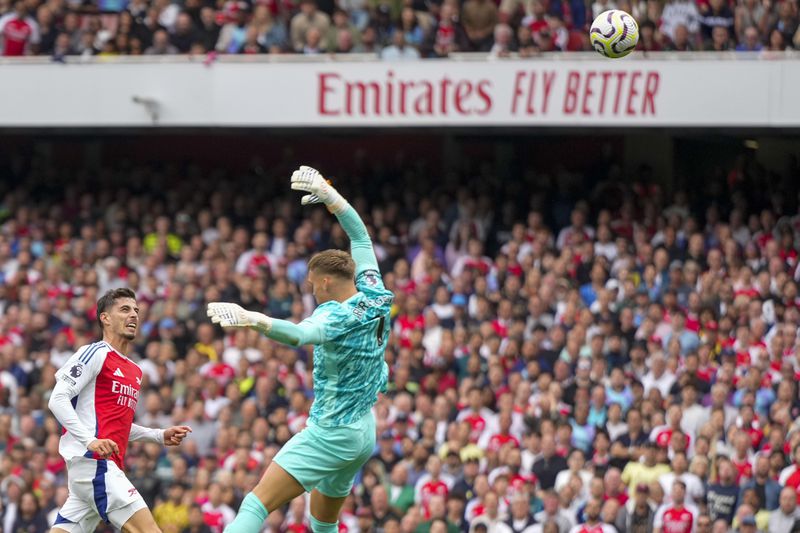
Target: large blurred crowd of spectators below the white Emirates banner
point(568, 353)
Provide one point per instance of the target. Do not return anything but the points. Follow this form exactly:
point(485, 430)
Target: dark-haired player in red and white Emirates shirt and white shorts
point(95, 400)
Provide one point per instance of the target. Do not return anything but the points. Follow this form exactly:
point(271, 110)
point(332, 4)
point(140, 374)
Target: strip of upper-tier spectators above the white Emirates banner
point(392, 29)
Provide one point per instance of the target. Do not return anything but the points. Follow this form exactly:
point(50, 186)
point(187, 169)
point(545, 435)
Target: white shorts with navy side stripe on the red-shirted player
point(98, 490)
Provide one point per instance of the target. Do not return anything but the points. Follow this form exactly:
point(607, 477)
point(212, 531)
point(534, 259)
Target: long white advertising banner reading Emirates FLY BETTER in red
point(515, 93)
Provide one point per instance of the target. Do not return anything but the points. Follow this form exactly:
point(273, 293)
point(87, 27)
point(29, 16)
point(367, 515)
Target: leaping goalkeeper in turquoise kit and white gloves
point(349, 330)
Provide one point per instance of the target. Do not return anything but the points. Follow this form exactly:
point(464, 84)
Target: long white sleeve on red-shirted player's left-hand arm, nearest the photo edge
point(79, 370)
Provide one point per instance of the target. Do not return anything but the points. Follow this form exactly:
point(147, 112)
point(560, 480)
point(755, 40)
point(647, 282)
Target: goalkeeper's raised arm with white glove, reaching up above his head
point(311, 181)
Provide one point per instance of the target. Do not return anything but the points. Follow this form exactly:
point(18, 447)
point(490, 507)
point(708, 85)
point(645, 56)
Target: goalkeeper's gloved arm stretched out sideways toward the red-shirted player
point(309, 331)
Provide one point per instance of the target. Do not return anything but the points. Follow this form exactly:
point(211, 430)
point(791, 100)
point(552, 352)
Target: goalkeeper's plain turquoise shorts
point(328, 459)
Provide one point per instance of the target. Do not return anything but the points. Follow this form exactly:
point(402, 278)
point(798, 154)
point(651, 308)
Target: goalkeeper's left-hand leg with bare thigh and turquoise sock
point(275, 489)
